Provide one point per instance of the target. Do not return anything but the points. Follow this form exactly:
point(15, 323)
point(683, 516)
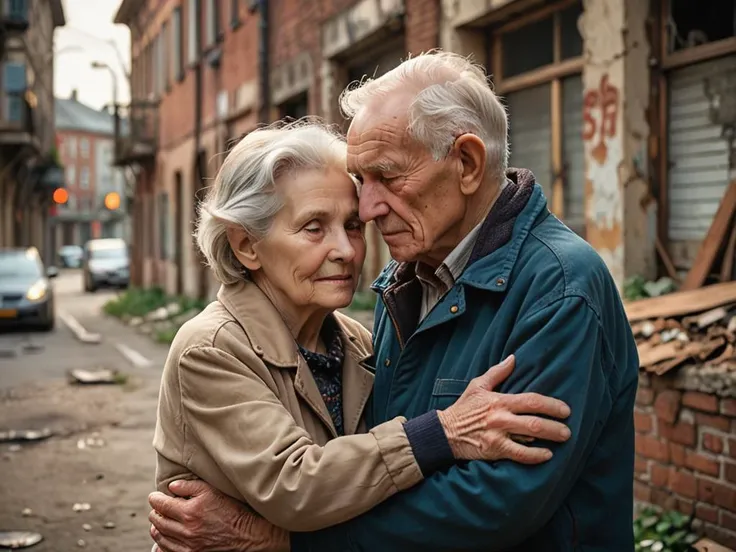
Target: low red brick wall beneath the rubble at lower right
point(686, 454)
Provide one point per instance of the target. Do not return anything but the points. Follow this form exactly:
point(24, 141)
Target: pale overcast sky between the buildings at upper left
point(90, 35)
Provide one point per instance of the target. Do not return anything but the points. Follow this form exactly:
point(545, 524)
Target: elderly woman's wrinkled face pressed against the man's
point(314, 250)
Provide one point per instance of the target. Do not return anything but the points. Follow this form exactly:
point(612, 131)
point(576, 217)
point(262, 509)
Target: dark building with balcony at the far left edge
point(29, 170)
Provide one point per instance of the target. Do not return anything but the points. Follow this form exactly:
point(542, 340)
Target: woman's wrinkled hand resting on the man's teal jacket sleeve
point(485, 425)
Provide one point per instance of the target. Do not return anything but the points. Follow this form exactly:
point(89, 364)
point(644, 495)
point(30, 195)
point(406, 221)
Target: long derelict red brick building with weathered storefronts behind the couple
point(620, 107)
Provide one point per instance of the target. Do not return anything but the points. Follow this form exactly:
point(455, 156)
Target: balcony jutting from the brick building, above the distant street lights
point(136, 136)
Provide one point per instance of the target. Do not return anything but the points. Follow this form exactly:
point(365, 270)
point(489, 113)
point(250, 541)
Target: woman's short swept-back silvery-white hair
point(244, 192)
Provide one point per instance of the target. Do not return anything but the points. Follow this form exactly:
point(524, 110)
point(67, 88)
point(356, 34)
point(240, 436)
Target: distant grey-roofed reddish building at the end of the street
point(86, 139)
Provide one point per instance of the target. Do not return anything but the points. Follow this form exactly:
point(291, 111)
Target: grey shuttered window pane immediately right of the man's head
point(530, 133)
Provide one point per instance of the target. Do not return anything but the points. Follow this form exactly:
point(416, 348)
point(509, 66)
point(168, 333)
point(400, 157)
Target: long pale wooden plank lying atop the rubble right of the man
point(682, 302)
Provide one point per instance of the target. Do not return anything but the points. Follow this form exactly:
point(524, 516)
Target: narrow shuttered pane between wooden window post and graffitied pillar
point(573, 153)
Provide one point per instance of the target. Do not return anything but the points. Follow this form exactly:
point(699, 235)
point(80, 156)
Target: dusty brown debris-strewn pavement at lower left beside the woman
point(50, 476)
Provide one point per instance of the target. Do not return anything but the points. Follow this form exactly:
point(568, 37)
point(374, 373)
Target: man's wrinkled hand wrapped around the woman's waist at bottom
point(201, 519)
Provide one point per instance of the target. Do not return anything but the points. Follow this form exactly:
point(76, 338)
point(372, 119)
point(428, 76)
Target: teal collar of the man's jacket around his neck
point(492, 269)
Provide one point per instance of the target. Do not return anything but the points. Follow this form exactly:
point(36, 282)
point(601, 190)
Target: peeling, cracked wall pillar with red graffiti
point(619, 209)
